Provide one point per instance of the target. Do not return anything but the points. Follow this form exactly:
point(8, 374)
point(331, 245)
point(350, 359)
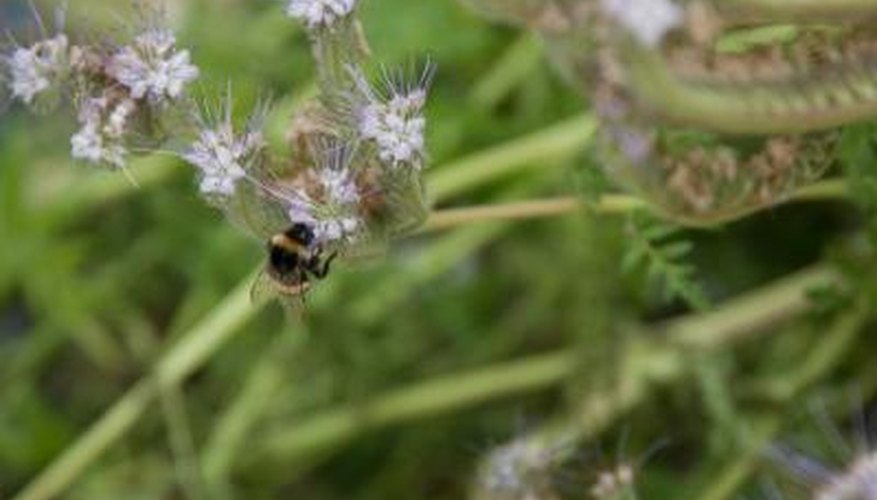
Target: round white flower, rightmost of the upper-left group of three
point(152, 67)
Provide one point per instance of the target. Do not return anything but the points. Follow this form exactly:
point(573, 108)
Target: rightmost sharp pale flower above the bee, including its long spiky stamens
point(394, 119)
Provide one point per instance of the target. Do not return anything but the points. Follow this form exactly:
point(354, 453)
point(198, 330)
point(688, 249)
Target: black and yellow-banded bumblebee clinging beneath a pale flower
point(295, 259)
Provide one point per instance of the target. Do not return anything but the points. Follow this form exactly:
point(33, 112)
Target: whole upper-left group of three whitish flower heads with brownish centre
point(108, 86)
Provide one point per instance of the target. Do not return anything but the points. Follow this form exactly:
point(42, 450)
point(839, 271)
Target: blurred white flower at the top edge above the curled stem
point(647, 20)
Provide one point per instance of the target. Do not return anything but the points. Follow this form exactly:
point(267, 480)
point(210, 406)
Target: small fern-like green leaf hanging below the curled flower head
point(659, 248)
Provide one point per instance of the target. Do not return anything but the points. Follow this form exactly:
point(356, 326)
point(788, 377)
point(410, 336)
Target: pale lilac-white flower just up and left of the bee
point(223, 157)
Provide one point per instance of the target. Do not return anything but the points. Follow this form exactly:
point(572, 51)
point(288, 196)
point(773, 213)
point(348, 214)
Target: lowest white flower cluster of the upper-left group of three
point(100, 140)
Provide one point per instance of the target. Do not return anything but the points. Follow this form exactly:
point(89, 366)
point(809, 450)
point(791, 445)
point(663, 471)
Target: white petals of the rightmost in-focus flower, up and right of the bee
point(397, 127)
